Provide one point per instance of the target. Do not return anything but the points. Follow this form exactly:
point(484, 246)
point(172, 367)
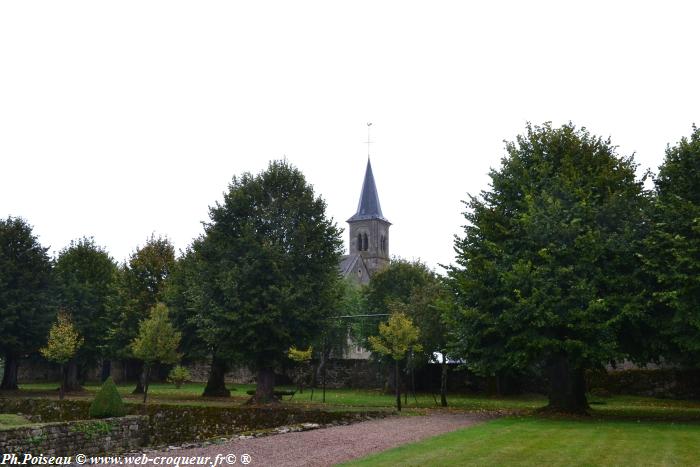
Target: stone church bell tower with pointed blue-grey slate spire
point(369, 235)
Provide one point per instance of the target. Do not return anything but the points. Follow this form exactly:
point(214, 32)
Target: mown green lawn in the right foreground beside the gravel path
point(552, 442)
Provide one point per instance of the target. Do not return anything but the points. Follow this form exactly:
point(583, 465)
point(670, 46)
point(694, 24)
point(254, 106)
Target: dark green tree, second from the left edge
point(83, 276)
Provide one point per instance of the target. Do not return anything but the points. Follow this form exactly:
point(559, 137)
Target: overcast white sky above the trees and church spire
point(118, 119)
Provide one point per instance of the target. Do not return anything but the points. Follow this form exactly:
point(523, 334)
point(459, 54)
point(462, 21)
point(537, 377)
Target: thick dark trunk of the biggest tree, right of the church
point(567, 386)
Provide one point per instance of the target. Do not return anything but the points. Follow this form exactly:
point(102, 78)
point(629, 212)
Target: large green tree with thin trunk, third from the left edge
point(139, 285)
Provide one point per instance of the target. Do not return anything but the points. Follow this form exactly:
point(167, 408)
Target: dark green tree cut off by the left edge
point(25, 308)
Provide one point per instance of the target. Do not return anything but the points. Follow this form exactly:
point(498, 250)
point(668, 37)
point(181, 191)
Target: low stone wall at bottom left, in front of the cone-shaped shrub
point(87, 437)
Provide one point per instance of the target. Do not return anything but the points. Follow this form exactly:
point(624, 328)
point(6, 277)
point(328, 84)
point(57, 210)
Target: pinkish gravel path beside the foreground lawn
point(328, 446)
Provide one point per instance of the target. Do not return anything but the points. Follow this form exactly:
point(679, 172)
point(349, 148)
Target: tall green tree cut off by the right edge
point(672, 252)
